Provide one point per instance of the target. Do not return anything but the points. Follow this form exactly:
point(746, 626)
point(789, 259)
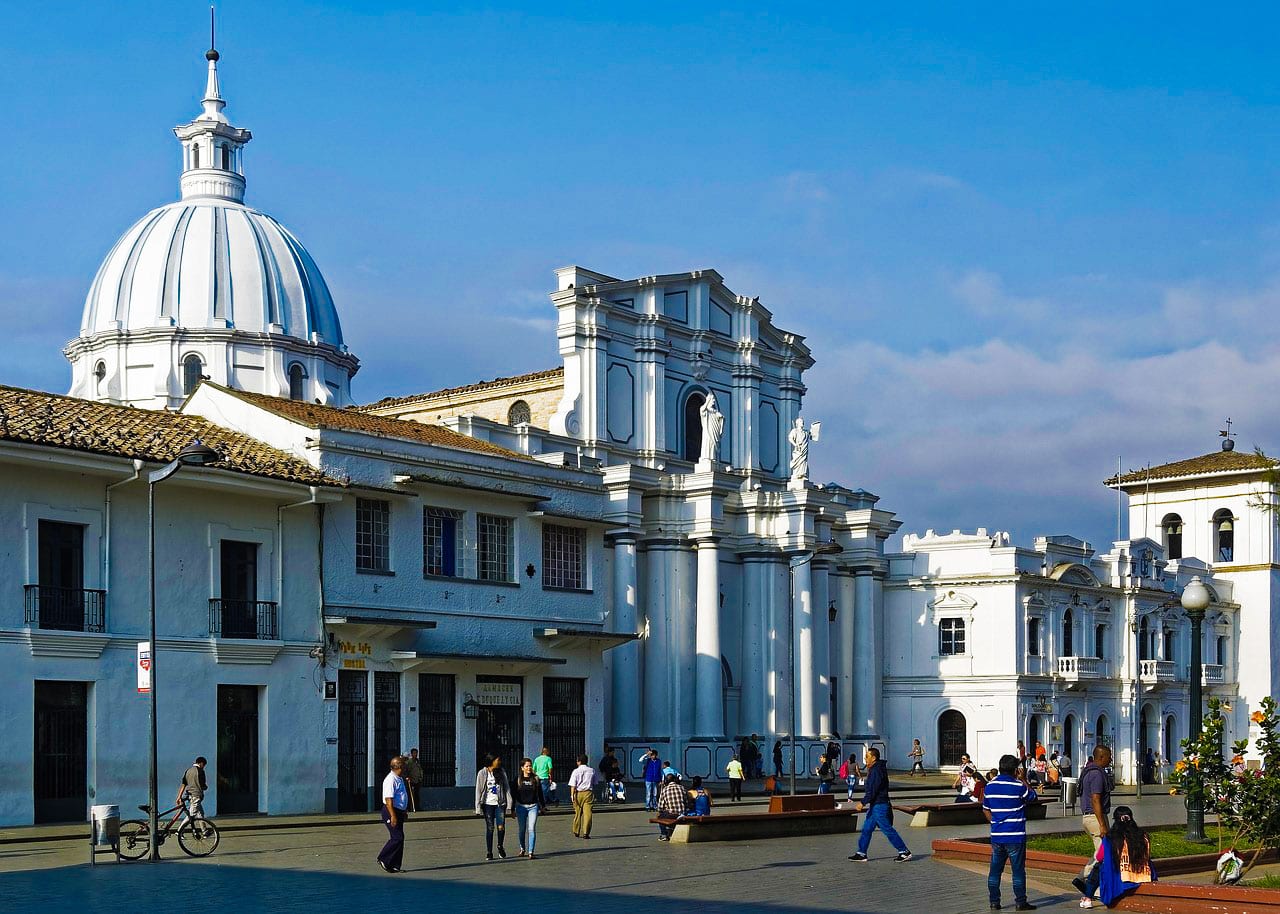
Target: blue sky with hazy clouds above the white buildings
point(1023, 241)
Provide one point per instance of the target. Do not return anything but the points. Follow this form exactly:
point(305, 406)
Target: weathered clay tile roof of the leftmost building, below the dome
point(58, 422)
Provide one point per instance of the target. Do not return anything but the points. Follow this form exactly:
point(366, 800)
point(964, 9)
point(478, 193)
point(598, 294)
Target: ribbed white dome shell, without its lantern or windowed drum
point(209, 263)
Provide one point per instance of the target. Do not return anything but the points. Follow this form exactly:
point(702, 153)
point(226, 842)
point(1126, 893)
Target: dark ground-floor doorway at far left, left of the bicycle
point(62, 752)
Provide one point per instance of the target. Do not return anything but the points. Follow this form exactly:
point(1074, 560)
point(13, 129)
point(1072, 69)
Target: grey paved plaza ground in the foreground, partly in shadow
point(623, 867)
